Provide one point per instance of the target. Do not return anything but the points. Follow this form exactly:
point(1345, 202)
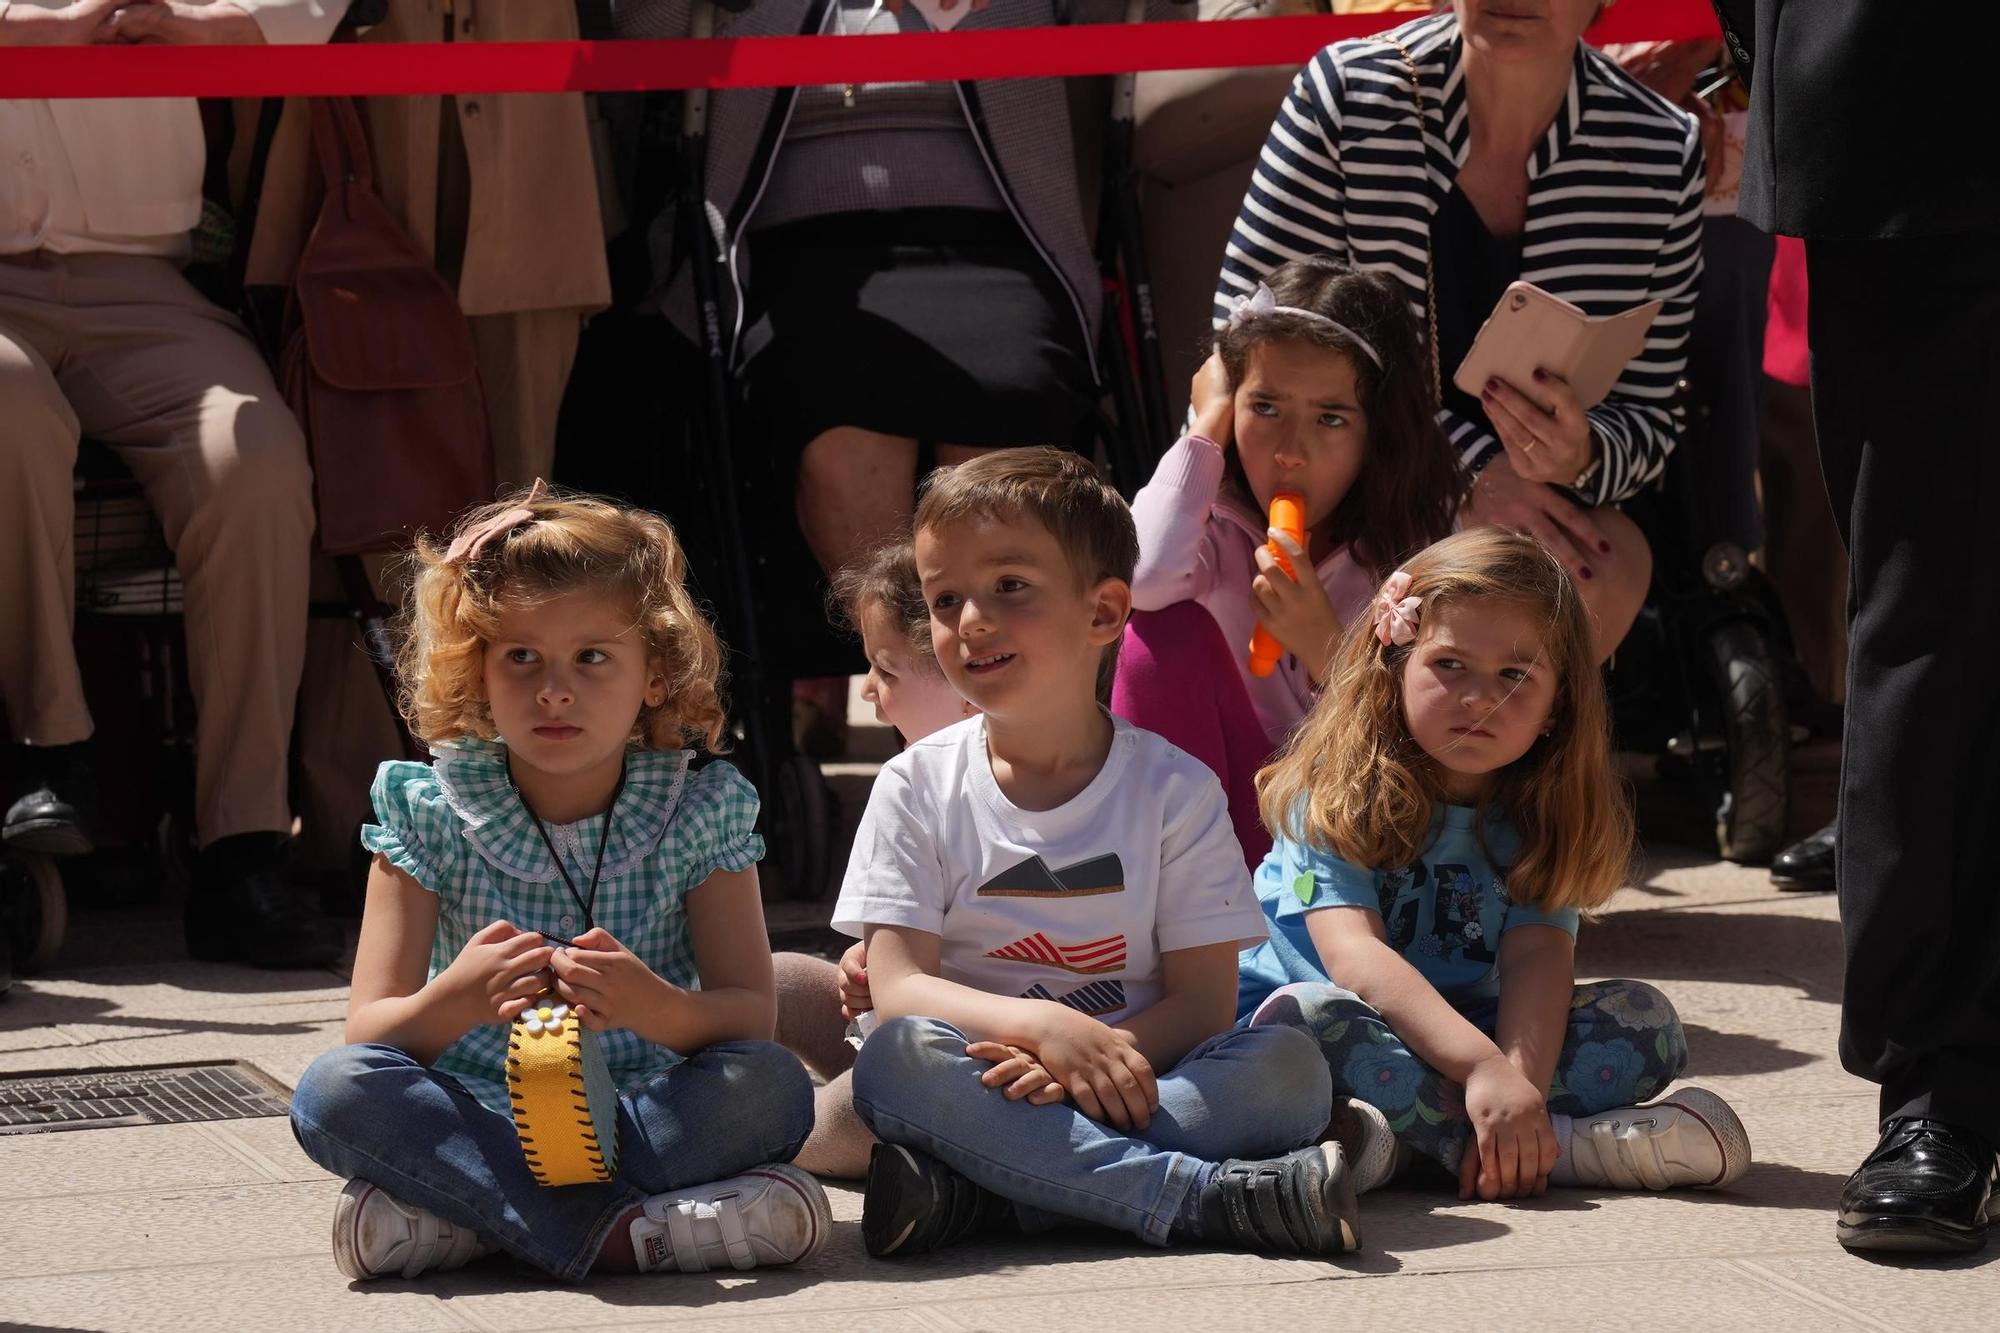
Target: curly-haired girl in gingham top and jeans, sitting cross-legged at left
point(561, 856)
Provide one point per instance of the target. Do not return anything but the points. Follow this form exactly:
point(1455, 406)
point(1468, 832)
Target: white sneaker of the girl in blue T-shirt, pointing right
point(1691, 1138)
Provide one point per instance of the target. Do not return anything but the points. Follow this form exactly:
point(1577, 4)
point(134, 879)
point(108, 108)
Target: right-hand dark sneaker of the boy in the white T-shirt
point(1301, 1204)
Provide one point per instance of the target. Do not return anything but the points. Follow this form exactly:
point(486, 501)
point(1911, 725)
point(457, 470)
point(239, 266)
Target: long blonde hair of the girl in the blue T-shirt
point(1353, 780)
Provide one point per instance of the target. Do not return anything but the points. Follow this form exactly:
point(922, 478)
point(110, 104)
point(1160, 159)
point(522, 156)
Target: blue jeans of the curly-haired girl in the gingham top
point(379, 1116)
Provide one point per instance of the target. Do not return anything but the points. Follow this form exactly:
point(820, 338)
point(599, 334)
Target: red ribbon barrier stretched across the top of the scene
point(391, 69)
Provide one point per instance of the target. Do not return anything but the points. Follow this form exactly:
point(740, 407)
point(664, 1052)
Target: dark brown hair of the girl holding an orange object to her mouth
point(1411, 485)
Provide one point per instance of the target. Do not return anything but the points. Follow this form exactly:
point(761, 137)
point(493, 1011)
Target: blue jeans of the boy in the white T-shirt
point(1243, 1094)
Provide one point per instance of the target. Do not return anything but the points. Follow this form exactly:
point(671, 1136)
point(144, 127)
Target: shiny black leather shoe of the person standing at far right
point(1927, 1188)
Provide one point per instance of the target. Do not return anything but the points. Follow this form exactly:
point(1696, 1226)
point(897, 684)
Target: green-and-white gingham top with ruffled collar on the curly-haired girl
point(459, 828)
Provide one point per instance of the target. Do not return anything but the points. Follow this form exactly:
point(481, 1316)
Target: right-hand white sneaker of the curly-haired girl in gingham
point(765, 1216)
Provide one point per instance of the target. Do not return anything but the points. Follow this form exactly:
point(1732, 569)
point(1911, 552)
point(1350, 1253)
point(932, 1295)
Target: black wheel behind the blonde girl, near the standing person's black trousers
point(1745, 782)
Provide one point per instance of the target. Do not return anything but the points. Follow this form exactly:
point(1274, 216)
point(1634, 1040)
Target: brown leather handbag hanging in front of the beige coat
point(377, 361)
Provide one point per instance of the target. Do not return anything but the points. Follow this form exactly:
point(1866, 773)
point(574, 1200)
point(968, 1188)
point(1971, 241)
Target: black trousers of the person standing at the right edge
point(1905, 387)
